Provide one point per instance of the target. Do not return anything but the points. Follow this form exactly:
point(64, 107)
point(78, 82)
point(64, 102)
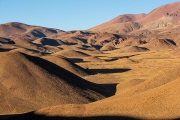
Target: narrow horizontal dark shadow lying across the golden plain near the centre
point(104, 71)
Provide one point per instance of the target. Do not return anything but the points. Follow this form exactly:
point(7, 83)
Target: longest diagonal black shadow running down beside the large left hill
point(105, 89)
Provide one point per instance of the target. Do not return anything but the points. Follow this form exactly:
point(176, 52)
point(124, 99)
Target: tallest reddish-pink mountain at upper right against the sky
point(160, 17)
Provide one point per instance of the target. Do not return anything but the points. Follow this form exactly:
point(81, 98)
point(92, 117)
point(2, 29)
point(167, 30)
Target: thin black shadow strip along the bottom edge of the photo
point(33, 116)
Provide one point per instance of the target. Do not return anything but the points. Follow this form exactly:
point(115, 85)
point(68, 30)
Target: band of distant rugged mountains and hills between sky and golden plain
point(150, 31)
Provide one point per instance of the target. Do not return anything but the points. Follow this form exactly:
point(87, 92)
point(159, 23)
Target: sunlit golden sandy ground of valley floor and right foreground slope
point(146, 86)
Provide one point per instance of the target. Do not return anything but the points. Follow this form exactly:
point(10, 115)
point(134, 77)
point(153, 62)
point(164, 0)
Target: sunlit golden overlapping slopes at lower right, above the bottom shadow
point(156, 98)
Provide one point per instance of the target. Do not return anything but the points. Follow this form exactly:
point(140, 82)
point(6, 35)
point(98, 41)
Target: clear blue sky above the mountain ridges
point(72, 14)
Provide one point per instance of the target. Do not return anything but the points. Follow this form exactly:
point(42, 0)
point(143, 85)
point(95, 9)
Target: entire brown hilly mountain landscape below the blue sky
point(125, 68)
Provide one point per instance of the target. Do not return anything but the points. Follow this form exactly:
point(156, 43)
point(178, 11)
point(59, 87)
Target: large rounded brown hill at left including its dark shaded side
point(29, 83)
